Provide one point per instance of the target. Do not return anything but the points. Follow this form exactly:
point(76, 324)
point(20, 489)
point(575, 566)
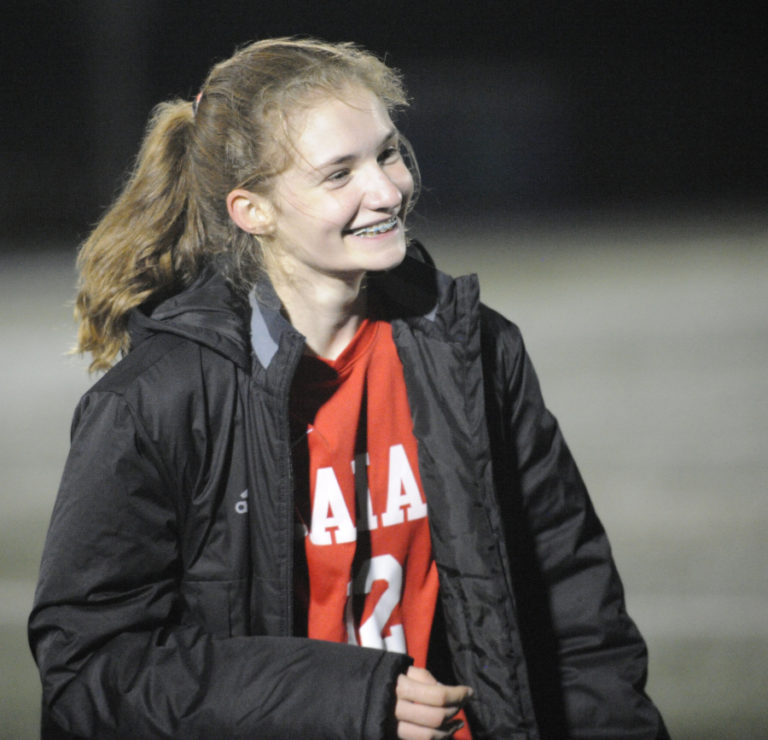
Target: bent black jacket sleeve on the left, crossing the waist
point(105, 629)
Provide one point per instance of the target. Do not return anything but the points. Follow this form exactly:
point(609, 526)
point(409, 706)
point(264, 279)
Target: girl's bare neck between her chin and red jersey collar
point(326, 310)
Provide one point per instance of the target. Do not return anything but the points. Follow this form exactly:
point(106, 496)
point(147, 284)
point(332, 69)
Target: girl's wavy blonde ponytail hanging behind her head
point(147, 245)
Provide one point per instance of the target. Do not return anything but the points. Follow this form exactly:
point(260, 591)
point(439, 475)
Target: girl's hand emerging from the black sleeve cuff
point(425, 708)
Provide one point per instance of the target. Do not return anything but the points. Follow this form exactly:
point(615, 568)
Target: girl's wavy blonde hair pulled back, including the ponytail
point(170, 221)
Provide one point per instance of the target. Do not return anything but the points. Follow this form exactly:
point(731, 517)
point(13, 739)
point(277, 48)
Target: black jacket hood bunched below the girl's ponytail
point(209, 312)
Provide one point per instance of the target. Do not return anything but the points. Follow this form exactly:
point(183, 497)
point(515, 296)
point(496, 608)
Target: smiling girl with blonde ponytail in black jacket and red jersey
point(319, 496)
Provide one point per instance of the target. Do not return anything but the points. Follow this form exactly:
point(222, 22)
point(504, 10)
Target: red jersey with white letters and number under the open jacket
point(365, 572)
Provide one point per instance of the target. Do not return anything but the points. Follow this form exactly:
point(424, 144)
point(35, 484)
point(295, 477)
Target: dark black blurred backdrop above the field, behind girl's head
point(527, 107)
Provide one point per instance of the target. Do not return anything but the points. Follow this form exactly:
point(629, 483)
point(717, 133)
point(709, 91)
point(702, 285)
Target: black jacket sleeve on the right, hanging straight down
point(570, 595)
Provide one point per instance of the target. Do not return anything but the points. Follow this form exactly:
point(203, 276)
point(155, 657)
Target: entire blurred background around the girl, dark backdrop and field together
point(602, 165)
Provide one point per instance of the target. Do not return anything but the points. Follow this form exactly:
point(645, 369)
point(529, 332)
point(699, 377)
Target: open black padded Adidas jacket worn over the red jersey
point(164, 607)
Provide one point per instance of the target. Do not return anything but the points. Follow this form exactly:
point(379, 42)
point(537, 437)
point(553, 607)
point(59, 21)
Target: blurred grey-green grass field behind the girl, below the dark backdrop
point(650, 337)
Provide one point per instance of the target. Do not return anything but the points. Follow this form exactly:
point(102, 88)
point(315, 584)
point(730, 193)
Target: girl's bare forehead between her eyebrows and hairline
point(336, 126)
